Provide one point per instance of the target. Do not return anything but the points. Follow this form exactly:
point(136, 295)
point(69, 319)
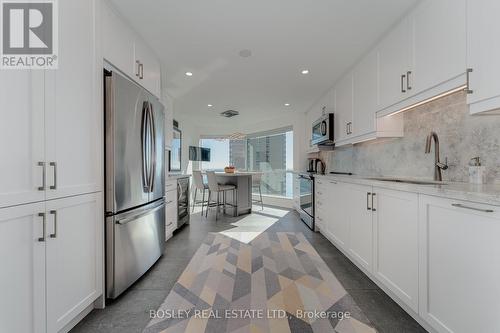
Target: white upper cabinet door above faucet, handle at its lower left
point(439, 43)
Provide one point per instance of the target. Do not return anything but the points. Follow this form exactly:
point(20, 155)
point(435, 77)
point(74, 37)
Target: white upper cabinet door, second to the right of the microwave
point(365, 101)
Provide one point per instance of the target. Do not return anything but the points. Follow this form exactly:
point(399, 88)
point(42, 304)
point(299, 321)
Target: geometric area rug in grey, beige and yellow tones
point(275, 283)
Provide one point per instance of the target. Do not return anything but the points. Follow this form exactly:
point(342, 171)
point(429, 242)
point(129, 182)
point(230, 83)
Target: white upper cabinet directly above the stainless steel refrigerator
point(125, 50)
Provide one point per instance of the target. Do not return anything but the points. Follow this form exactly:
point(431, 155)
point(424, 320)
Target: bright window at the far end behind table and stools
point(269, 152)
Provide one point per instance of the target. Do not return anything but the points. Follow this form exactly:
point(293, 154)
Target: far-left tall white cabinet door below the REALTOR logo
point(22, 132)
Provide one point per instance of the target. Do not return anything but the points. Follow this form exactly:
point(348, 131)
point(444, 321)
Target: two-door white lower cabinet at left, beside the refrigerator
point(52, 252)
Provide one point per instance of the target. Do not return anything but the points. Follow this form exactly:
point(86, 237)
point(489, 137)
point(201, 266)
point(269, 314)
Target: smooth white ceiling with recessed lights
point(285, 36)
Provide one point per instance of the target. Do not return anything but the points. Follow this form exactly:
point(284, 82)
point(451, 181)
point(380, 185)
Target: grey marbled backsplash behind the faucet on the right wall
point(461, 137)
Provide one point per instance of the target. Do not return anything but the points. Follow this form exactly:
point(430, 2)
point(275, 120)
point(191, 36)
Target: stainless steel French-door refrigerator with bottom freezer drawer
point(135, 181)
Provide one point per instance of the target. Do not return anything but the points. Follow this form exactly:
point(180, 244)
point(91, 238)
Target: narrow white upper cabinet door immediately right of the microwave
point(343, 109)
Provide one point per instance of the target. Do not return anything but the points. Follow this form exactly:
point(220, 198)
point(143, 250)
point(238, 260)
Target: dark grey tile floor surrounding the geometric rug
point(130, 312)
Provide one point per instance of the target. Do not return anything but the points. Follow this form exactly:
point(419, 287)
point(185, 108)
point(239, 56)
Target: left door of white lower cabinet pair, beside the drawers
point(360, 245)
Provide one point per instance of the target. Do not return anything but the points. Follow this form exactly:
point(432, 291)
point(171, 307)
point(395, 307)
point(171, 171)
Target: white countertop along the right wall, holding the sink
point(484, 193)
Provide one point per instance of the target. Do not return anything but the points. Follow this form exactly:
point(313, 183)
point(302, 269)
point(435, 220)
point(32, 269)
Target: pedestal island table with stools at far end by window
point(243, 182)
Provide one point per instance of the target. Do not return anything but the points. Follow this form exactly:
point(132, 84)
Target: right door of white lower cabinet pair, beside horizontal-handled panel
point(396, 243)
